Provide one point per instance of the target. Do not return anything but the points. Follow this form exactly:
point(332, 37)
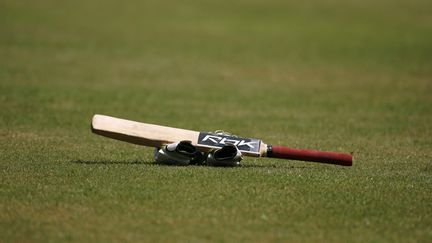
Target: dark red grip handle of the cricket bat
point(309, 155)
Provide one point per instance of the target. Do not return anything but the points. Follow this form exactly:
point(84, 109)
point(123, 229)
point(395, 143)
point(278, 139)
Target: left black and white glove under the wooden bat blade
point(179, 153)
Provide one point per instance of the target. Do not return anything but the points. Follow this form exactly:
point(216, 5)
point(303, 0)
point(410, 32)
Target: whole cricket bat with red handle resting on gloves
point(156, 136)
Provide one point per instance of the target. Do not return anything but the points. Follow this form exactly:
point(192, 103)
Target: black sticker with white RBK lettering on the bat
point(219, 140)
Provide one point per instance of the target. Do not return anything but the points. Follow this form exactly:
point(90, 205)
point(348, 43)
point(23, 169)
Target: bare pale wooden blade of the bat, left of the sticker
point(138, 132)
